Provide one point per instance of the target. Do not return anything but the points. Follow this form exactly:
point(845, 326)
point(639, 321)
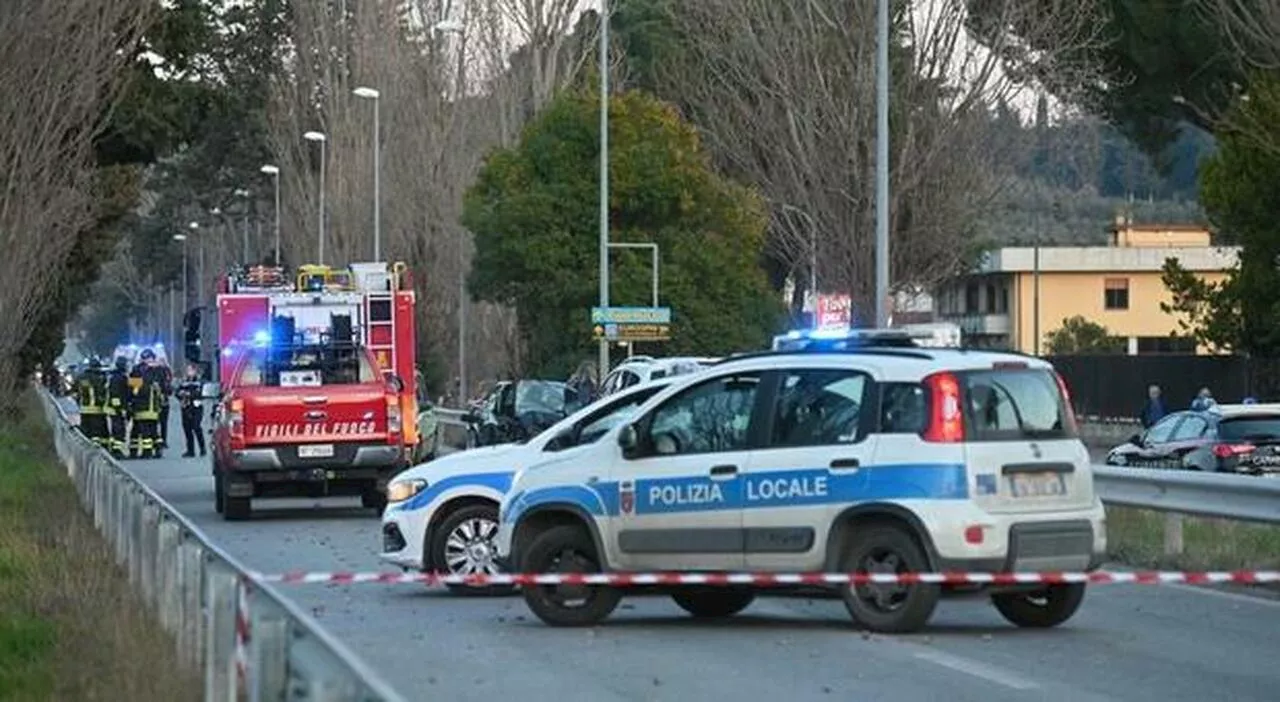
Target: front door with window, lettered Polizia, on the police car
point(680, 493)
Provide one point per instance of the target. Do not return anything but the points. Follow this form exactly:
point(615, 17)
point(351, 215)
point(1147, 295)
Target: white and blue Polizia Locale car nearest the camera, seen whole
point(880, 459)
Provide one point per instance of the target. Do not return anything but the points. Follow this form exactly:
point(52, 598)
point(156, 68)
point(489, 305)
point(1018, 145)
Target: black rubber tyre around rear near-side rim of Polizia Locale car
point(922, 598)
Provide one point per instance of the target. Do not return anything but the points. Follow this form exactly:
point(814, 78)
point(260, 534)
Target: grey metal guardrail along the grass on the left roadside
point(252, 642)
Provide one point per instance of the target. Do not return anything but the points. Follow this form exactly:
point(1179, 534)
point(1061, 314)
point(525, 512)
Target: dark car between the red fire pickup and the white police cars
point(516, 411)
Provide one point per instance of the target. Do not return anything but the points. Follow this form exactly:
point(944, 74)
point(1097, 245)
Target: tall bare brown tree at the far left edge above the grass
point(61, 74)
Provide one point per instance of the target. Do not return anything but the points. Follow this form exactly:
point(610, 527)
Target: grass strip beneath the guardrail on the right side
point(1137, 537)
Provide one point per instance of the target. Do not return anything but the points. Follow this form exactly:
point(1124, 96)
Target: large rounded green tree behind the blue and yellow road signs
point(533, 212)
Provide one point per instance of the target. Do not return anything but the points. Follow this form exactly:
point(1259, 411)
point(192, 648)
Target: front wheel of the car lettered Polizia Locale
point(568, 550)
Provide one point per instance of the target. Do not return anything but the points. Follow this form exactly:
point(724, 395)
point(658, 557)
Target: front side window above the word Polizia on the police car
point(708, 418)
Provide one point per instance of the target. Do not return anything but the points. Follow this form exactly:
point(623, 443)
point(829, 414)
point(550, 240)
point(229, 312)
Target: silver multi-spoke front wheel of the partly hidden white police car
point(464, 545)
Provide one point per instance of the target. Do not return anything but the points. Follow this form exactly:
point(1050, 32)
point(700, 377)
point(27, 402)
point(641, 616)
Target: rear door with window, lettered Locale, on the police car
point(816, 452)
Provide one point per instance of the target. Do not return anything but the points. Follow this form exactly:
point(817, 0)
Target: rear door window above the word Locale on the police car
point(819, 408)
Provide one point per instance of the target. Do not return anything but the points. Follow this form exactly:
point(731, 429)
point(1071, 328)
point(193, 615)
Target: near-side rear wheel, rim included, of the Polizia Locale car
point(888, 608)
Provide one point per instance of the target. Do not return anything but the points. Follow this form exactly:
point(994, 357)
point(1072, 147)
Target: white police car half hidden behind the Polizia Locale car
point(442, 516)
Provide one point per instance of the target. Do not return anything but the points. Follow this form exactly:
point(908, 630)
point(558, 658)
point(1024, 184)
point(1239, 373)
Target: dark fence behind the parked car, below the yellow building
point(1117, 385)
